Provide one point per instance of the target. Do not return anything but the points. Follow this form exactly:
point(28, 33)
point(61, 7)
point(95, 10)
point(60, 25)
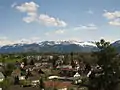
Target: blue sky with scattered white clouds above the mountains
point(41, 20)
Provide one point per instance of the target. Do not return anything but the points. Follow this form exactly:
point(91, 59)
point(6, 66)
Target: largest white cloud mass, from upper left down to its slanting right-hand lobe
point(31, 9)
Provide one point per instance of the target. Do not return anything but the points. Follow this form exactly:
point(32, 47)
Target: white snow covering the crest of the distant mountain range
point(51, 43)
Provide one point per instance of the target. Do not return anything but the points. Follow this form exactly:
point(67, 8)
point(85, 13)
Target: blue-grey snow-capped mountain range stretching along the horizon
point(53, 46)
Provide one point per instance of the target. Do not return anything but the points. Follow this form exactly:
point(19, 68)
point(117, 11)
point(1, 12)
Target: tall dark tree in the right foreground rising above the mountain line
point(108, 78)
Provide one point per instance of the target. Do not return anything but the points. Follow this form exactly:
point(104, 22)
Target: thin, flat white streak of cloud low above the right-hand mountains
point(86, 27)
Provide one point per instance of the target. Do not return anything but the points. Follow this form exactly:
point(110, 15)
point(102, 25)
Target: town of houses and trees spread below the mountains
point(55, 71)
